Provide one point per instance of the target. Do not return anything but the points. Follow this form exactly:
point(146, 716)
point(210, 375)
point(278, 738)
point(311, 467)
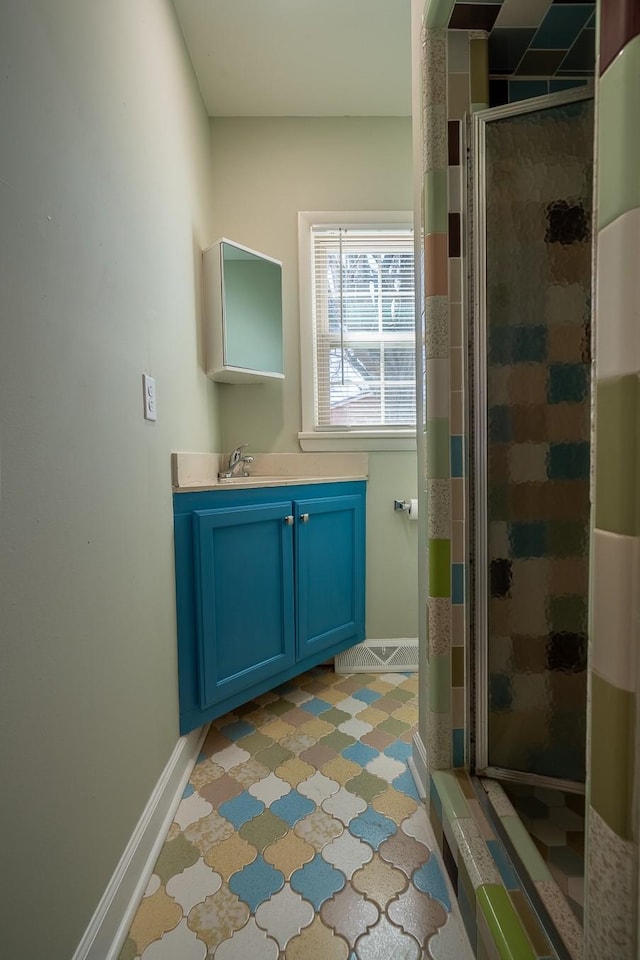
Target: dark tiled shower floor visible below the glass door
point(555, 822)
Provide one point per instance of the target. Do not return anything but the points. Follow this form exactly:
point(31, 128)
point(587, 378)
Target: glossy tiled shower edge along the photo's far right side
point(613, 817)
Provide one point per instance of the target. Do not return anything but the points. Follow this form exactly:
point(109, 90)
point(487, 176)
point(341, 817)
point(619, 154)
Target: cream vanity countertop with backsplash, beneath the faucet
point(199, 471)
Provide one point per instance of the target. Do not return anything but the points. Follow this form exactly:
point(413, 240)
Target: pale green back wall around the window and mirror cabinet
point(263, 172)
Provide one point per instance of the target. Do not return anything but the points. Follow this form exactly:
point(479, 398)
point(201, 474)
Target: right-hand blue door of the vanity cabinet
point(329, 572)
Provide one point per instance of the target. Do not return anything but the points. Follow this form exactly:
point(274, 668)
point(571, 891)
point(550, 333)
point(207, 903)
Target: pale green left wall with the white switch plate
point(104, 208)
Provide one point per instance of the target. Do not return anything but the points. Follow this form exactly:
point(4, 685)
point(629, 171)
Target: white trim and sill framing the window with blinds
point(386, 438)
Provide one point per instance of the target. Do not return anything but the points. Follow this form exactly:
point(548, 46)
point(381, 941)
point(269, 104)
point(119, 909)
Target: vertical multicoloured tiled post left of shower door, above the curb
point(456, 81)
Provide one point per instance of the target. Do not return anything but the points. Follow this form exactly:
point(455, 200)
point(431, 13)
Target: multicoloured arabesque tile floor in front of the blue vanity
point(301, 836)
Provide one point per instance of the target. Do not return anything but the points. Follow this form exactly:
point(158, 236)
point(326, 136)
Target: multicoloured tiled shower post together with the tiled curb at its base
point(456, 81)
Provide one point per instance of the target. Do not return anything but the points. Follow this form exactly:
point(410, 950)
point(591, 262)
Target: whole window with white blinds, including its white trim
point(358, 343)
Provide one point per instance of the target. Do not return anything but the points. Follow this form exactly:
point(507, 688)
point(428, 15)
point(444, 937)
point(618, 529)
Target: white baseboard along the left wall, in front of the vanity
point(108, 928)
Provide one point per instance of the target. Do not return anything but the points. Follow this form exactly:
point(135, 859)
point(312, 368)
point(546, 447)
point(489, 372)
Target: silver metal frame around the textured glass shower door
point(478, 490)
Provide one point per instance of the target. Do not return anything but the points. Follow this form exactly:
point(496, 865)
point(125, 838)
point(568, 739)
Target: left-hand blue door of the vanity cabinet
point(245, 630)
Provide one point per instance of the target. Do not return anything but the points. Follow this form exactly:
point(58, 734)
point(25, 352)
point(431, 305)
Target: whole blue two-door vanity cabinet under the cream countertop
point(269, 582)
